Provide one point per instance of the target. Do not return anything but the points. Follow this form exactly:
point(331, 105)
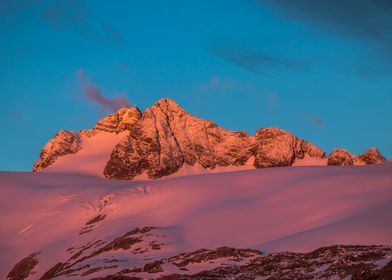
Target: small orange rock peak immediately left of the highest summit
point(120, 121)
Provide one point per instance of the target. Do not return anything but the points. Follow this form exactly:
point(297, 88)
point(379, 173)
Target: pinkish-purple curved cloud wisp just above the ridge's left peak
point(94, 95)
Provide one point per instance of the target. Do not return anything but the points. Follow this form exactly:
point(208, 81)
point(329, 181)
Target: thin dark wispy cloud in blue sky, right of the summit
point(255, 61)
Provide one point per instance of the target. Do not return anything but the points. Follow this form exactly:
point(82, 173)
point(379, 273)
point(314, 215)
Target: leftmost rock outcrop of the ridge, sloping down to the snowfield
point(63, 143)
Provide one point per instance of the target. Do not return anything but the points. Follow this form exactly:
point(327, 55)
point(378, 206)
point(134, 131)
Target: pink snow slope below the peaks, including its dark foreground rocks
point(63, 226)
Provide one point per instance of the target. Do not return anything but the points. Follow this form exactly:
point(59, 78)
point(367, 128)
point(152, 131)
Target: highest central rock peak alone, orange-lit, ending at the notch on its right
point(167, 136)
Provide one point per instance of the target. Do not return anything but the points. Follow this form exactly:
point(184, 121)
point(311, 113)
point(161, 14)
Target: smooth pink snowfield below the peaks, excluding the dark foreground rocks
point(291, 208)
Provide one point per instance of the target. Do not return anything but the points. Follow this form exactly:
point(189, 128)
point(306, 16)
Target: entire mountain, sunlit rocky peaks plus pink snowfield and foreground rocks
point(258, 223)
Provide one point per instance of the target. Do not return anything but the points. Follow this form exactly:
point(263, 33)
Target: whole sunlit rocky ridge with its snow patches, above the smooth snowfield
point(165, 140)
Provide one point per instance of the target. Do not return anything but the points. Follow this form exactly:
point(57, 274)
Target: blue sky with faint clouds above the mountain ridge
point(319, 69)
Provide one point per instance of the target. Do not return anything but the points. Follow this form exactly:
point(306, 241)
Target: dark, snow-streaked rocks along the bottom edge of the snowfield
point(99, 259)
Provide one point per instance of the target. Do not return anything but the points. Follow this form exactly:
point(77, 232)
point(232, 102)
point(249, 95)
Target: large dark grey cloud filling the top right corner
point(365, 20)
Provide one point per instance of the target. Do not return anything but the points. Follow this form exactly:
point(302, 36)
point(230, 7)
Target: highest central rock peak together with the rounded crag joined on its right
point(166, 137)
